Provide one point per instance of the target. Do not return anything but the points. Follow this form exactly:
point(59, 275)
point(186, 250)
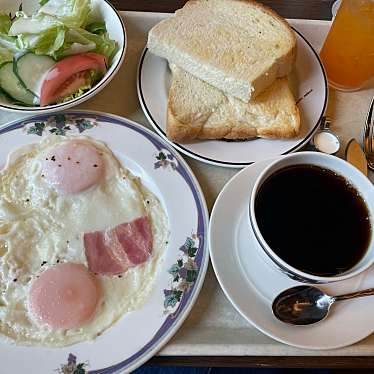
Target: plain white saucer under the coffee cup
point(250, 281)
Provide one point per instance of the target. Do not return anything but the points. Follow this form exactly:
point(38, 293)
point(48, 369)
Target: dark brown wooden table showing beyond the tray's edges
point(310, 9)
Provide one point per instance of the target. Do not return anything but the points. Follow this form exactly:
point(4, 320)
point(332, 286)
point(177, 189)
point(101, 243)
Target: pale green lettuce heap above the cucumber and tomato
point(57, 30)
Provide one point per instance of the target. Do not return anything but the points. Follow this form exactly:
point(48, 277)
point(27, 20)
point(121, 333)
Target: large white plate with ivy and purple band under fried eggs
point(140, 334)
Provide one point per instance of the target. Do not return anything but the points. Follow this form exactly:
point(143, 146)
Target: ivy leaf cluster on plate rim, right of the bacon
point(184, 273)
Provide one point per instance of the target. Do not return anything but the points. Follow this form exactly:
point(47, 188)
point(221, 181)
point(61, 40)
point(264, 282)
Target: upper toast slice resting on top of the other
point(238, 46)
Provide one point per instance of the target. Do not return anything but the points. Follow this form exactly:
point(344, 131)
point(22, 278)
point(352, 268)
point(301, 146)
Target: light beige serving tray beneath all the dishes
point(213, 326)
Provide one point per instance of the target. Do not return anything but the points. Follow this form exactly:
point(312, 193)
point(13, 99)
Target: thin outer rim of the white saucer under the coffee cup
point(262, 164)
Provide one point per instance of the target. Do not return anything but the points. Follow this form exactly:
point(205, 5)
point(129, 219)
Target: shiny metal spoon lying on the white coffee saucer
point(305, 305)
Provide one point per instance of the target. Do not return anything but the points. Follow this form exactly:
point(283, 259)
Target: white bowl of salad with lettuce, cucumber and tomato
point(57, 37)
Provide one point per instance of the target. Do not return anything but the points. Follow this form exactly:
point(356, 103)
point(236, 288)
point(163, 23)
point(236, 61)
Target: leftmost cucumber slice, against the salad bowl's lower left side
point(11, 85)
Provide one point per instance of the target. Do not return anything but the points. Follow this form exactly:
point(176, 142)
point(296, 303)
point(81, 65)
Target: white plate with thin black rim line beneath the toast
point(308, 83)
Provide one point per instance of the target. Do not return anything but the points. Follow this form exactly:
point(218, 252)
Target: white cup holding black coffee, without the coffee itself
point(358, 180)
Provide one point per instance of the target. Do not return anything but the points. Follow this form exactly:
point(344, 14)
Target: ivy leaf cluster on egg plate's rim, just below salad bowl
point(59, 124)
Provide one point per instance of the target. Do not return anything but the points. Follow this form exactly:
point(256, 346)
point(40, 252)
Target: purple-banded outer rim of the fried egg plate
point(161, 341)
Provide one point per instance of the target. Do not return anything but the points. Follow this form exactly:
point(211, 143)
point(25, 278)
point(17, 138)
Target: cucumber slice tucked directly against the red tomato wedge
point(30, 70)
